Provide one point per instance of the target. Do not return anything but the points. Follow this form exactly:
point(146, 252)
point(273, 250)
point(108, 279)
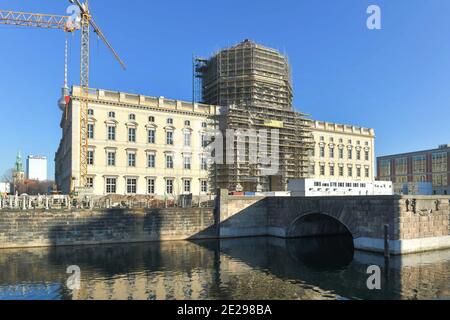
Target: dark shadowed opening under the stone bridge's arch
point(319, 224)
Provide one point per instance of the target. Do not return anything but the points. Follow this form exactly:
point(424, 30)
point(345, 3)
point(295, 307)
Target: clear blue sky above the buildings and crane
point(396, 80)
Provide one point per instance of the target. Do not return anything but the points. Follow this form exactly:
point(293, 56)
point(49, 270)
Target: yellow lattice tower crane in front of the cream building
point(81, 20)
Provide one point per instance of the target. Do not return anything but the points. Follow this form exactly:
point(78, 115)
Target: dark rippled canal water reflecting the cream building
point(250, 268)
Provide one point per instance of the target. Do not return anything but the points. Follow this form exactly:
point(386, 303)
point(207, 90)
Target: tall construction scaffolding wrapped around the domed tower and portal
point(253, 84)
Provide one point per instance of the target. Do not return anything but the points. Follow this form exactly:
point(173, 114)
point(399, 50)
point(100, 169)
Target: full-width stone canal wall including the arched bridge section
point(397, 224)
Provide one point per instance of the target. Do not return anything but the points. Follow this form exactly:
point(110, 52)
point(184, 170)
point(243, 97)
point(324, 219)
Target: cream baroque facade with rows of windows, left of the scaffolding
point(137, 145)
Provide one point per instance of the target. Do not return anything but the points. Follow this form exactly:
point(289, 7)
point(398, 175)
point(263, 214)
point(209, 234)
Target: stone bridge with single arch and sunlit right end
point(415, 224)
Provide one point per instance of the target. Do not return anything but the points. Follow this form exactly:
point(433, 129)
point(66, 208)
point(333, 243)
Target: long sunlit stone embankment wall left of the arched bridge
point(41, 228)
